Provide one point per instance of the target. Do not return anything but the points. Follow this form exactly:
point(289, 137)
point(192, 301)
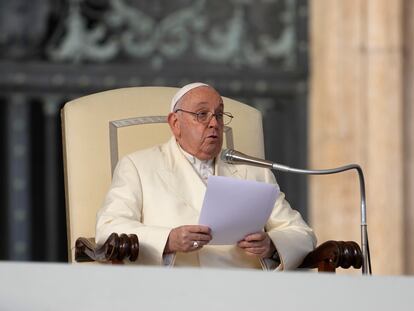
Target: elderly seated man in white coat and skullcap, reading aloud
point(157, 194)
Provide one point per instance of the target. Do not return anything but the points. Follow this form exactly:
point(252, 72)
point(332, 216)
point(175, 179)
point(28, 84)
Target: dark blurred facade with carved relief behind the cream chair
point(54, 51)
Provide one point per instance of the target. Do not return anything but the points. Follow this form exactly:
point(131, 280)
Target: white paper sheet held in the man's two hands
point(234, 208)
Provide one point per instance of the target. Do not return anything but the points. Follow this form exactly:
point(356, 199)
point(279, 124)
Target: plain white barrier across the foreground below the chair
point(34, 286)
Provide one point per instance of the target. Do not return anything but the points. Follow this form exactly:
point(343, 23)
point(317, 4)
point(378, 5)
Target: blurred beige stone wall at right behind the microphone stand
point(360, 111)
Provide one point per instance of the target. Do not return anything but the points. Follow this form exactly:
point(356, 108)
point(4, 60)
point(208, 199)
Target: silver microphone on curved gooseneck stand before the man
point(235, 157)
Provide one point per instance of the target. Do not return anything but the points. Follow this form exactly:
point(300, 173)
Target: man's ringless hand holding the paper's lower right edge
point(257, 244)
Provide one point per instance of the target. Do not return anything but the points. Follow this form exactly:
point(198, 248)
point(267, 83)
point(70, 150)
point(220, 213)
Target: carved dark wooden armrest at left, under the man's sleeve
point(115, 249)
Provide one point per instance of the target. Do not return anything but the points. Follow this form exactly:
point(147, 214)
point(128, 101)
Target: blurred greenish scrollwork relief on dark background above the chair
point(237, 33)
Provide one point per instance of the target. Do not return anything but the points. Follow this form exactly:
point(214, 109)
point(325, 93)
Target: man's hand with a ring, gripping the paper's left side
point(187, 238)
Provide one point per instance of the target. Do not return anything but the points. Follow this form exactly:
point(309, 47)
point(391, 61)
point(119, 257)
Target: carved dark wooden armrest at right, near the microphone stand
point(334, 254)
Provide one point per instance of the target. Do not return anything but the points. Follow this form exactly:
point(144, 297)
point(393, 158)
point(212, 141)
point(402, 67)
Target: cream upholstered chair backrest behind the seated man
point(101, 128)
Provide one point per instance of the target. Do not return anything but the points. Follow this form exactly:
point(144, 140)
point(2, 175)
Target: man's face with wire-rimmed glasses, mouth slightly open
point(203, 140)
